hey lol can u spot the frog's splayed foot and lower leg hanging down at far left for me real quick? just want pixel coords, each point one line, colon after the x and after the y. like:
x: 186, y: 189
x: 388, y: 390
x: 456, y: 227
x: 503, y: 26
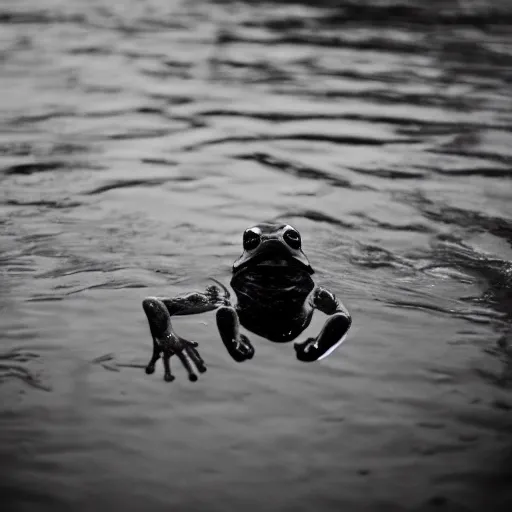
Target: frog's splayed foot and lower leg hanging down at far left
x: 167, y: 343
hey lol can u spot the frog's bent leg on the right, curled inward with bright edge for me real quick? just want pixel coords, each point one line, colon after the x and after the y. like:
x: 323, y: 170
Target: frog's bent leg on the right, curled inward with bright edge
x: 333, y: 332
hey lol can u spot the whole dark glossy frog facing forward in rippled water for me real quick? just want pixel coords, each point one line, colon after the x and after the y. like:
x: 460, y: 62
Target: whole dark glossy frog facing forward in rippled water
x: 276, y: 298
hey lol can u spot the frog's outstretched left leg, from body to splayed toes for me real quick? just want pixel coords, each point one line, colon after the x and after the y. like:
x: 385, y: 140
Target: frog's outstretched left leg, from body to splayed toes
x: 166, y: 342
